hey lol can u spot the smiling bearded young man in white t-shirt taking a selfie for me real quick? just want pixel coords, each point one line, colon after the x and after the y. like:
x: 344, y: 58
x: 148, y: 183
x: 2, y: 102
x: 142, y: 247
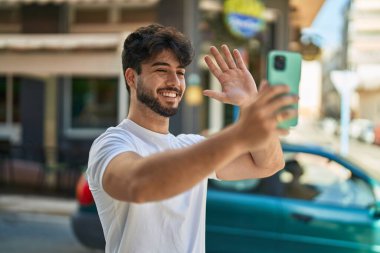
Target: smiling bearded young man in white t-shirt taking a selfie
x: 150, y: 186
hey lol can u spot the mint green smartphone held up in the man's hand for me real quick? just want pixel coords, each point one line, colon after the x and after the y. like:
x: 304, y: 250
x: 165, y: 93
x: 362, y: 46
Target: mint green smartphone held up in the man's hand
x: 284, y: 67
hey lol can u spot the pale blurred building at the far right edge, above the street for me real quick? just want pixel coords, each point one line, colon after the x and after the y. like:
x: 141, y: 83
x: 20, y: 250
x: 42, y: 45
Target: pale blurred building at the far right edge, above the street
x: 364, y: 56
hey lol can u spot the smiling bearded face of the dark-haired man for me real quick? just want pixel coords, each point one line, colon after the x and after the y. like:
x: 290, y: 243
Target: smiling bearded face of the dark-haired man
x: 161, y: 84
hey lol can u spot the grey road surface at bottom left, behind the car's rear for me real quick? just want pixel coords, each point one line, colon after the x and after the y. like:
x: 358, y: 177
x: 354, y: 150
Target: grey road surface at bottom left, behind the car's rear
x: 37, y: 233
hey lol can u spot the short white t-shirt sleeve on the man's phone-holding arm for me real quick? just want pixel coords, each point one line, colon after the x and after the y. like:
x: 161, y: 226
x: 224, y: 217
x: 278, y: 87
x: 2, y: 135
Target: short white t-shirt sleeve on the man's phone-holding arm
x: 103, y: 150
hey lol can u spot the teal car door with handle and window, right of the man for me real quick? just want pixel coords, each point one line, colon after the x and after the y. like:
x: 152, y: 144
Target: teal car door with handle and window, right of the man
x: 335, y: 217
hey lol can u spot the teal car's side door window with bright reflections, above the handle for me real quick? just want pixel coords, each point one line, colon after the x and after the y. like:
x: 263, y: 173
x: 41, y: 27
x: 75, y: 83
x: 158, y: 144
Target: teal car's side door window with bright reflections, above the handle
x: 318, y: 179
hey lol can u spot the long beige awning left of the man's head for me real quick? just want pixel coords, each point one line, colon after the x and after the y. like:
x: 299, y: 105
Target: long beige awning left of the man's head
x: 63, y: 54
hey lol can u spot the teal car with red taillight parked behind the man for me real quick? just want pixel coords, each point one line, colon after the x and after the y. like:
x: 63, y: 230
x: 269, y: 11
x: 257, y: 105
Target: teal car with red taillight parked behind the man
x: 320, y: 202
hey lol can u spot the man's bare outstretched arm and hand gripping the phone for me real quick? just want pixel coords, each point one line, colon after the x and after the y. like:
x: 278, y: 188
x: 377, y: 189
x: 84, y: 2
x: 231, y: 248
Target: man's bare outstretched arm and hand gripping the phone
x: 133, y: 178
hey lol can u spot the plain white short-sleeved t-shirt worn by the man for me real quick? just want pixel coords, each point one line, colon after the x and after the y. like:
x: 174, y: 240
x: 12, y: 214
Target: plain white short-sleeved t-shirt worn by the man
x: 176, y: 224
